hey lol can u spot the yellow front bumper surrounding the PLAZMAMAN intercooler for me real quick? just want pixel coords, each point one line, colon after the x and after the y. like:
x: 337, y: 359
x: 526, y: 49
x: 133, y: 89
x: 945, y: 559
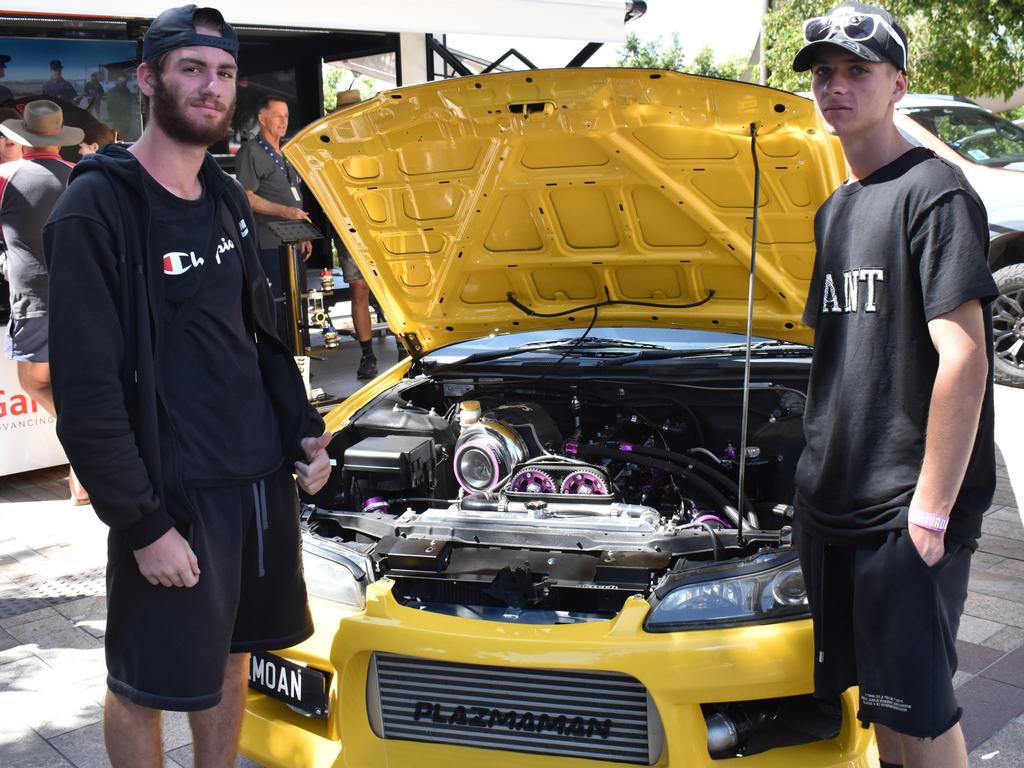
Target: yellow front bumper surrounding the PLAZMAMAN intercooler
x: 680, y: 671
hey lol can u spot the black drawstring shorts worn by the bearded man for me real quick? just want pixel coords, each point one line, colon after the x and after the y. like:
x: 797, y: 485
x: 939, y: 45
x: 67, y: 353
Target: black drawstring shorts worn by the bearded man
x: 167, y: 647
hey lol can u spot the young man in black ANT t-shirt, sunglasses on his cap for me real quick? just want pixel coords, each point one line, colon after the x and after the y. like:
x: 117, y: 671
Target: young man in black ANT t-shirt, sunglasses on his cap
x: 900, y: 464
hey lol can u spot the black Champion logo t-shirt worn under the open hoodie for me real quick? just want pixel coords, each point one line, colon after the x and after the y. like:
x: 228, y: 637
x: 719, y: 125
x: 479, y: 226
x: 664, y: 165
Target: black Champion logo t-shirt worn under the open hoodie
x: 225, y: 430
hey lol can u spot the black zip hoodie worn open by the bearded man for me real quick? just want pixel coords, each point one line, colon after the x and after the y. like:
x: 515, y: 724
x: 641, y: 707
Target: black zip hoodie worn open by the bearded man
x: 105, y: 343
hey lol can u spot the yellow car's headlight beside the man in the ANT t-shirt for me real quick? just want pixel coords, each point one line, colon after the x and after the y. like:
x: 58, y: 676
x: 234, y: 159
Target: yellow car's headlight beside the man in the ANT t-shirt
x: 770, y: 588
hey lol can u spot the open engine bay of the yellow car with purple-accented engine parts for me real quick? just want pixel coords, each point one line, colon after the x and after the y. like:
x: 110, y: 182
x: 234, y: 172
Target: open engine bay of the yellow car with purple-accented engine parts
x: 527, y: 499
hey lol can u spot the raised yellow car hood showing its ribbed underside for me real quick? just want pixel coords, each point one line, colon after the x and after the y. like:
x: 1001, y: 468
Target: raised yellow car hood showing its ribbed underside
x: 516, y: 202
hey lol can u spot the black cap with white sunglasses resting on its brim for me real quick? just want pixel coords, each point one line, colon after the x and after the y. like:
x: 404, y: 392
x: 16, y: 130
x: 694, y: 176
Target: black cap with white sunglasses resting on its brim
x: 866, y: 31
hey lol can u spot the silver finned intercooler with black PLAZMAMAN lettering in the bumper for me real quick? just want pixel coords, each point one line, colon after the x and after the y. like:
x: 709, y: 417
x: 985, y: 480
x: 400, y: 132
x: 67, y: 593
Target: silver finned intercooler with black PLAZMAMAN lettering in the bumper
x: 591, y: 715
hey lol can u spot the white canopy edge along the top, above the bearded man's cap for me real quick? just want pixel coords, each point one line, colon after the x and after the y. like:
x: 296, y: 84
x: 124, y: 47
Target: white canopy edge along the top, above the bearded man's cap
x: 598, y: 21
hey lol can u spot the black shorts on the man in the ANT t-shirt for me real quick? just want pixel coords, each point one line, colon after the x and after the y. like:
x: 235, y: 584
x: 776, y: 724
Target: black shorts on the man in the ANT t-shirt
x: 886, y: 621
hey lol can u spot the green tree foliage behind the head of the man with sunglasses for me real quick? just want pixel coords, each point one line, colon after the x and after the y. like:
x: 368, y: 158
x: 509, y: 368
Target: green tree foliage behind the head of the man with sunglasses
x: 964, y: 48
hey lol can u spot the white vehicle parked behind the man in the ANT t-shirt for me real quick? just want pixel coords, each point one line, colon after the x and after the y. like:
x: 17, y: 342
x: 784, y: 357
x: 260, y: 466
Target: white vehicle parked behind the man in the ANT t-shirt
x: 991, y: 152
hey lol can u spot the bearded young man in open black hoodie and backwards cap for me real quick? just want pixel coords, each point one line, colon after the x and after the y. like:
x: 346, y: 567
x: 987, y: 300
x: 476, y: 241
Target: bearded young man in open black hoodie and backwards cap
x: 184, y: 414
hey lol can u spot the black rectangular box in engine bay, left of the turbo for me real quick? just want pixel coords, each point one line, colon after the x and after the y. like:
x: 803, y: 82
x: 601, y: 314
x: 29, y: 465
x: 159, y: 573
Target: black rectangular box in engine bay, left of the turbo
x: 393, y: 462
